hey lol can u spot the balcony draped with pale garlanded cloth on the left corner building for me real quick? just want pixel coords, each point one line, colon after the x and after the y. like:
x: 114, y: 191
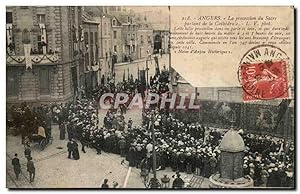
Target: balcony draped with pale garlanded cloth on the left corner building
x: 36, y: 59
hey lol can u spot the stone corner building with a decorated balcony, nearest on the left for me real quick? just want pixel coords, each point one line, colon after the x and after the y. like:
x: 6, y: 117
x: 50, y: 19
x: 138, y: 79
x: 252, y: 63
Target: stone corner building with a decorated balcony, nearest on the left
x: 42, y: 53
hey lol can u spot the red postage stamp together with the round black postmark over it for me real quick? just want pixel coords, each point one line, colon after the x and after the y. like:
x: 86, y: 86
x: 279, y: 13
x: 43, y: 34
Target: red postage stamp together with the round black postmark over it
x: 263, y: 73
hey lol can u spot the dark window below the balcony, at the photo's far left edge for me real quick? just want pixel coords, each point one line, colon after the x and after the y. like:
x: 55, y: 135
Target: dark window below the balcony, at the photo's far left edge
x: 12, y: 83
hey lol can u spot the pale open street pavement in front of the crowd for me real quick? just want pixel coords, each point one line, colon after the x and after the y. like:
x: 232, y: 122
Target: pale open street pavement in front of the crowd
x: 55, y: 170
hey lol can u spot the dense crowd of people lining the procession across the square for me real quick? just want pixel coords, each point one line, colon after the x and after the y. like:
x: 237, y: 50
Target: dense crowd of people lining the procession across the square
x: 183, y: 147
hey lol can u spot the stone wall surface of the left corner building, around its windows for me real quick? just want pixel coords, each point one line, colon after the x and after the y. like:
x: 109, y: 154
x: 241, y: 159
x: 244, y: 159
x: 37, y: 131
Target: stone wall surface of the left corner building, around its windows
x: 59, y: 39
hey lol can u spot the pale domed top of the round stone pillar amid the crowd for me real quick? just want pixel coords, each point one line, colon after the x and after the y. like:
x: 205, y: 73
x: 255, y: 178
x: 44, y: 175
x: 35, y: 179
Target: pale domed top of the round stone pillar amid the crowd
x: 232, y: 142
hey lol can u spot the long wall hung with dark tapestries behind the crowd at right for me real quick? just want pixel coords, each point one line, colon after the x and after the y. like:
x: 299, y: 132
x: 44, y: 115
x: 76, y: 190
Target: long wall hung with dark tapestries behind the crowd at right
x: 221, y: 105
